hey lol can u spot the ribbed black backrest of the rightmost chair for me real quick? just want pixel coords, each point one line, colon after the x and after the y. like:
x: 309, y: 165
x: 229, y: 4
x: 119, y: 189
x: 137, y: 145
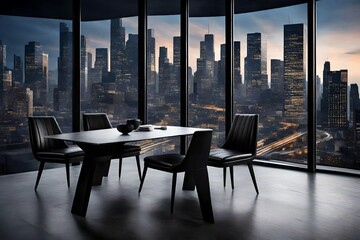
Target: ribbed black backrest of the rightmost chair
x: 243, y: 133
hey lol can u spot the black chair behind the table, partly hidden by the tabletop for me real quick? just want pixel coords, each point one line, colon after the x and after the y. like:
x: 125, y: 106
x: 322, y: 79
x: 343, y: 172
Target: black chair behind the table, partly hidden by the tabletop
x: 96, y: 121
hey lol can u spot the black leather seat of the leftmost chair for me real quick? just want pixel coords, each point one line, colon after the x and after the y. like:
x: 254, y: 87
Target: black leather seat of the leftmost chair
x: 60, y: 154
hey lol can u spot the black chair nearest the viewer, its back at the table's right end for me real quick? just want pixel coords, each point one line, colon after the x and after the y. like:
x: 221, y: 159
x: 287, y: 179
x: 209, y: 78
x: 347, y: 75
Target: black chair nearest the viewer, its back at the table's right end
x: 194, y: 159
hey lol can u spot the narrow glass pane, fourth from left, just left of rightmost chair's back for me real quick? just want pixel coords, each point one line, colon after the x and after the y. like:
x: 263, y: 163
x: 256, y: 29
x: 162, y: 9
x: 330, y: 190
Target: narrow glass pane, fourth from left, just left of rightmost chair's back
x: 207, y: 73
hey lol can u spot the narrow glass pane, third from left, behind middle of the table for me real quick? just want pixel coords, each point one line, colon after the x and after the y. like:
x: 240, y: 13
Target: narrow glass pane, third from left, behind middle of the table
x: 163, y: 74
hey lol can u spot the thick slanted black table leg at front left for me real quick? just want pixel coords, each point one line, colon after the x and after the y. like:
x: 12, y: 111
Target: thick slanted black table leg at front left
x: 83, y: 188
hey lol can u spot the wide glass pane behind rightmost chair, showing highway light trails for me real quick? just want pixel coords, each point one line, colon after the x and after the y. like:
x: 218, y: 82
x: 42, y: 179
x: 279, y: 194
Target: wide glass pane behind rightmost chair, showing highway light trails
x: 272, y: 79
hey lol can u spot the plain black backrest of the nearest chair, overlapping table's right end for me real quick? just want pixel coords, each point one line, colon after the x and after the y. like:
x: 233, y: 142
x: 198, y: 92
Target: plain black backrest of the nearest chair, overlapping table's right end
x: 198, y: 152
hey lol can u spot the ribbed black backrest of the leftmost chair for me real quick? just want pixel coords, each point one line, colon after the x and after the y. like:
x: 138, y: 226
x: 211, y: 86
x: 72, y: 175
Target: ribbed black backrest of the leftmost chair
x: 41, y: 126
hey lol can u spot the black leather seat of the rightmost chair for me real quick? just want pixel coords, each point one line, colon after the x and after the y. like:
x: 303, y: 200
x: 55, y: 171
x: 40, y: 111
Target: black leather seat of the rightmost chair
x: 223, y: 156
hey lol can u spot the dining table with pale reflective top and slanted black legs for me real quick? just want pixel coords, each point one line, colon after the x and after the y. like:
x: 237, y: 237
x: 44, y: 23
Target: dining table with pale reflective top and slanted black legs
x: 98, y: 146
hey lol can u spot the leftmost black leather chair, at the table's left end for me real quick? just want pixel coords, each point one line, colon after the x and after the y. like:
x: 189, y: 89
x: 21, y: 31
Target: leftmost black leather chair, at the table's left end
x: 52, y: 151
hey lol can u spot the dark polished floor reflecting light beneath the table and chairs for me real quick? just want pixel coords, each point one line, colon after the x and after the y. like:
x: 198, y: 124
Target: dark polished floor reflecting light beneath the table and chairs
x: 291, y: 205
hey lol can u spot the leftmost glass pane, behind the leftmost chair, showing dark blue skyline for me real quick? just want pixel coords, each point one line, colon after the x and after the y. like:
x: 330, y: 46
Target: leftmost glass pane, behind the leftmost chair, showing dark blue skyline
x: 36, y: 79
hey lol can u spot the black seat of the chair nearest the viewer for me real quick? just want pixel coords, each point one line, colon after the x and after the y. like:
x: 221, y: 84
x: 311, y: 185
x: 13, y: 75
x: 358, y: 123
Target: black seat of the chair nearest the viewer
x: 164, y: 162
